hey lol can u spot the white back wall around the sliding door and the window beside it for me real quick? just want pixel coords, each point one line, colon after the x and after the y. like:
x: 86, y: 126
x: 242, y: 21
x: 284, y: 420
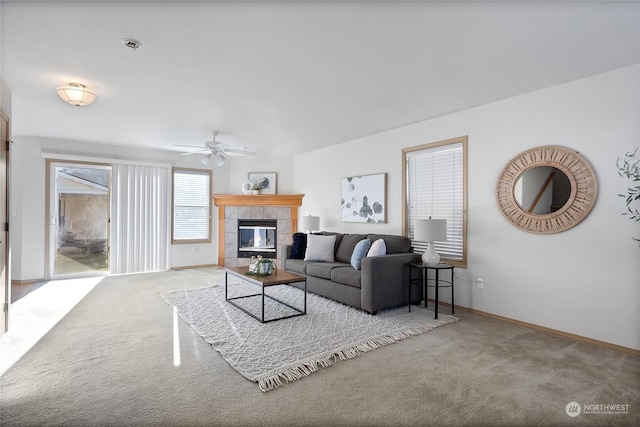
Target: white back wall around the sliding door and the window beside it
x: 28, y: 210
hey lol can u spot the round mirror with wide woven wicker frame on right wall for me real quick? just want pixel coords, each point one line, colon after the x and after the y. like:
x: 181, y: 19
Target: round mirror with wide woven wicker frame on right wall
x: 525, y: 189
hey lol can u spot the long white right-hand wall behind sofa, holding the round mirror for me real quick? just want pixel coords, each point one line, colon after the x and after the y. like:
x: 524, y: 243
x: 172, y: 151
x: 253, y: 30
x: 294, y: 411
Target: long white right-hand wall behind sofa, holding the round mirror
x: 584, y: 281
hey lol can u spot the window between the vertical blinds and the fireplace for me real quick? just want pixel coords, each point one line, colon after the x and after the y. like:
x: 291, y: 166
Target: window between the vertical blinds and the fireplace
x: 191, y: 206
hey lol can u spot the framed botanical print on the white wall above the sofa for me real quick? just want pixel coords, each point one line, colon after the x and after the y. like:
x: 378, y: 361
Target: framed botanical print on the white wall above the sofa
x: 364, y: 198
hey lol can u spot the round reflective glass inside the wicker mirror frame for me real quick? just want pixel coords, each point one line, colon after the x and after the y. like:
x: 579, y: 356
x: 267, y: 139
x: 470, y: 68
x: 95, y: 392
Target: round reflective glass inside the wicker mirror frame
x: 542, y: 190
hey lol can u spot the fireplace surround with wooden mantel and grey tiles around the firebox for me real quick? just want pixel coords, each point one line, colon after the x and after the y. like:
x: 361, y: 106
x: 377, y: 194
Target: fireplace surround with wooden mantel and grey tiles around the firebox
x: 258, y: 206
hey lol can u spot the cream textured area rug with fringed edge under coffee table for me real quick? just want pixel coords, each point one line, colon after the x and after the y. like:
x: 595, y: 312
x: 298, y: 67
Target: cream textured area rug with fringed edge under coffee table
x: 290, y: 349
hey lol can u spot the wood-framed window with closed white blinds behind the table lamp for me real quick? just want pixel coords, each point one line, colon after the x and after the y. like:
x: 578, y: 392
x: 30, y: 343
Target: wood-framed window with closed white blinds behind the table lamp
x: 435, y: 185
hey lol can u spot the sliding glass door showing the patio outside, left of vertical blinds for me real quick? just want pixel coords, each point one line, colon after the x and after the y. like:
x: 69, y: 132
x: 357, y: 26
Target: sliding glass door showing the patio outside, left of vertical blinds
x: 79, y: 220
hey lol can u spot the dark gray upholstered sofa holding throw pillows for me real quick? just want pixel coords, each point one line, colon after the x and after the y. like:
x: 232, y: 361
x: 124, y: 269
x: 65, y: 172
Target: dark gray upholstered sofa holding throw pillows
x: 381, y: 283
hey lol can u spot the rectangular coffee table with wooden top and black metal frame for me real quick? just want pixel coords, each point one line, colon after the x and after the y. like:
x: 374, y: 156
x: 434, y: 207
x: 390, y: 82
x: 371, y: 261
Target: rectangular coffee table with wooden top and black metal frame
x: 278, y: 277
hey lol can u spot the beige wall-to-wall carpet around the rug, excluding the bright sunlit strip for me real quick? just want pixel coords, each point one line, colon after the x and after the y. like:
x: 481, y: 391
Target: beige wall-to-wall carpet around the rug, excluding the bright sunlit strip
x: 120, y: 357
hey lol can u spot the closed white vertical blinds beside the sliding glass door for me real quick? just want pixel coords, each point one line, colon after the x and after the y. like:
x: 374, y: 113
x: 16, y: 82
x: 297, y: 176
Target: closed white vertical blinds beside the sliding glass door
x: 140, y: 218
